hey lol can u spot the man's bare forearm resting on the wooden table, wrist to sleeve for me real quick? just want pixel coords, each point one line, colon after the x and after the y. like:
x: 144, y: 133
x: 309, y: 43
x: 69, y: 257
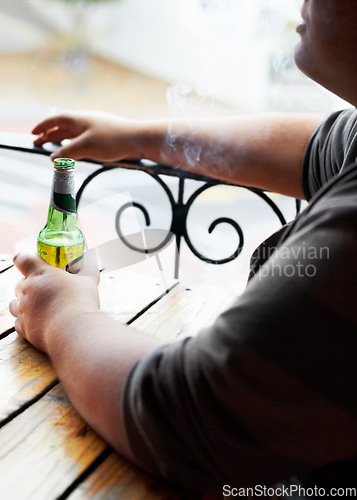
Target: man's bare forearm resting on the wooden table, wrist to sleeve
x: 92, y: 354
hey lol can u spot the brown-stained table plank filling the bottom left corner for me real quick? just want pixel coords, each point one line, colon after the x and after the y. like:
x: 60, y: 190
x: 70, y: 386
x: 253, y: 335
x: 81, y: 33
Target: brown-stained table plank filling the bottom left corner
x: 45, y: 448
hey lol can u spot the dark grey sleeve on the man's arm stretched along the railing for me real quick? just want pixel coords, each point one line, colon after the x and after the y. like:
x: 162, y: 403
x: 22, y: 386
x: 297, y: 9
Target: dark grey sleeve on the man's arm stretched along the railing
x: 332, y: 147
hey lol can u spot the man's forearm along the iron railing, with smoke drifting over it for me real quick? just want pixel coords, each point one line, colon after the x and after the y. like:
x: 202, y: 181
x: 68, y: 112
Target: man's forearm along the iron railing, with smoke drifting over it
x: 264, y: 151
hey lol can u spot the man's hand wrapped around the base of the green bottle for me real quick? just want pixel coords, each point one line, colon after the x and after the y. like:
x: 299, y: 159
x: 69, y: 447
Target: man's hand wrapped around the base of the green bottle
x: 48, y: 295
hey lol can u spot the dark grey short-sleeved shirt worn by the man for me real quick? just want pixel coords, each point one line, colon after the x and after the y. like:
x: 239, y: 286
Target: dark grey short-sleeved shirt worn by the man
x: 269, y: 390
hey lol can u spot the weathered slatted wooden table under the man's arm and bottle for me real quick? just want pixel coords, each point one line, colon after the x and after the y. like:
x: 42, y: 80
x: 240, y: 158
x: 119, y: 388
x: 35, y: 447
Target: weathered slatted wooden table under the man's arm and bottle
x: 46, y: 450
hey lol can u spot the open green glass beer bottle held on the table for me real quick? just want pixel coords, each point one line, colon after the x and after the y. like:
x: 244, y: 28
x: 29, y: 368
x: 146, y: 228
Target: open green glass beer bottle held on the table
x: 61, y: 241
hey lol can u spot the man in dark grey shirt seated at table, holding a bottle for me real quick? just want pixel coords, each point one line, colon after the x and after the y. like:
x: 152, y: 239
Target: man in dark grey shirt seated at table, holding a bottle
x: 268, y: 391
